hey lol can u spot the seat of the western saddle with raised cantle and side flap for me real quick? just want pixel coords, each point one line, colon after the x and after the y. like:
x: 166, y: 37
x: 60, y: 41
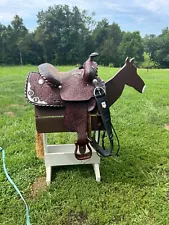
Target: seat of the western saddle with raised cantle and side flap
x: 71, y: 84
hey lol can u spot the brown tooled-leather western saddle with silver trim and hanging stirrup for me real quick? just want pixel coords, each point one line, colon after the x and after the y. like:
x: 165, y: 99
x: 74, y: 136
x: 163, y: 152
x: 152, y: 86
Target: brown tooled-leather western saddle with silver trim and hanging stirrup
x: 73, y: 90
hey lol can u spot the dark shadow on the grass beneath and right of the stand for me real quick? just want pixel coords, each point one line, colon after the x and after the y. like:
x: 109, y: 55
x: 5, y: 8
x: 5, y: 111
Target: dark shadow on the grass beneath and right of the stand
x: 132, y: 167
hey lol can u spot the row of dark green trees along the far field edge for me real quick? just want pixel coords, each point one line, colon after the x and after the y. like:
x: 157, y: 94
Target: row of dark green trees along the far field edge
x: 65, y: 36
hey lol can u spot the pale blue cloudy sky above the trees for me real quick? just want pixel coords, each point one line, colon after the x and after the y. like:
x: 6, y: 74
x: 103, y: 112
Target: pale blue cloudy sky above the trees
x: 146, y: 16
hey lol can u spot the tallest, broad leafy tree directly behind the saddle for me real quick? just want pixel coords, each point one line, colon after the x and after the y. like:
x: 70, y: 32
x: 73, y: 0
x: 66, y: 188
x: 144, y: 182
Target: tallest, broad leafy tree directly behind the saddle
x: 63, y: 34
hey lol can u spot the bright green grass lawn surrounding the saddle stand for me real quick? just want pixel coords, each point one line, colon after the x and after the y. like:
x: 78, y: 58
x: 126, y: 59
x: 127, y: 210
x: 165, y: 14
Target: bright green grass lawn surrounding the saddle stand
x: 134, y: 189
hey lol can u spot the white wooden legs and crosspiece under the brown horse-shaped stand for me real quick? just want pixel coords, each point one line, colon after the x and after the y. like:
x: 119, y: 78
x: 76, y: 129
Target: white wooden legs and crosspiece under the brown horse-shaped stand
x: 59, y: 155
